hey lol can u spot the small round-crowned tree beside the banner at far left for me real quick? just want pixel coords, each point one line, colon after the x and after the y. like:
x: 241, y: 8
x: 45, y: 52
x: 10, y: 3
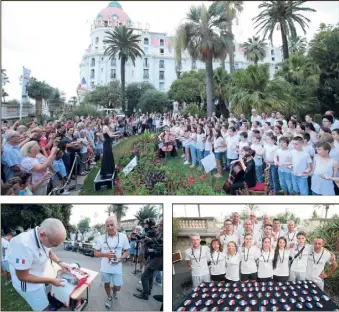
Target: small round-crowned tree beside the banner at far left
x: 38, y: 90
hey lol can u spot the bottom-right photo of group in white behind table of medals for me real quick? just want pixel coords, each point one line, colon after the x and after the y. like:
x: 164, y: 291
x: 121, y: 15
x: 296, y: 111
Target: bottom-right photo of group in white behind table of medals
x: 255, y: 257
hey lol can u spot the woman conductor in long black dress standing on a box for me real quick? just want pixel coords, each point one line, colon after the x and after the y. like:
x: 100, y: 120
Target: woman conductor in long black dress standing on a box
x: 107, y: 164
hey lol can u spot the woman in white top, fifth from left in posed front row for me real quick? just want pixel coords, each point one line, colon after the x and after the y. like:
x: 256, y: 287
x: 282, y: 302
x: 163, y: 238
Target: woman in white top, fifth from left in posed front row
x: 265, y: 263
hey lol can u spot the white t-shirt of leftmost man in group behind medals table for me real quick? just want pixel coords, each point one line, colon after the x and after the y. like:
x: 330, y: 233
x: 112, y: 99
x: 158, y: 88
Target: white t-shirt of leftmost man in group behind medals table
x: 199, y: 258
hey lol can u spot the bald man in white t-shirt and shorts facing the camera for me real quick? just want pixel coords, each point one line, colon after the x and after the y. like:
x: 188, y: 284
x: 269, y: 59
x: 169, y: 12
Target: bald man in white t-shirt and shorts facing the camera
x: 112, y: 248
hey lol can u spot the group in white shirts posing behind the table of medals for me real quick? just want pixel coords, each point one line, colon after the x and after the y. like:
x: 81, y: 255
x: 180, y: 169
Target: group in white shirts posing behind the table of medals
x: 259, y: 251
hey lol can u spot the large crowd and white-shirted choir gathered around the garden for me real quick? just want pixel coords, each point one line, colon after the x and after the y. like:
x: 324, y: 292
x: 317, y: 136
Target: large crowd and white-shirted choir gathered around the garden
x: 301, y: 157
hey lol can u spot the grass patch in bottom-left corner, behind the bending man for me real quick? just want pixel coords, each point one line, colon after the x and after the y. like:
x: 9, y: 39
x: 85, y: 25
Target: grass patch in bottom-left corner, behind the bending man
x: 11, y: 300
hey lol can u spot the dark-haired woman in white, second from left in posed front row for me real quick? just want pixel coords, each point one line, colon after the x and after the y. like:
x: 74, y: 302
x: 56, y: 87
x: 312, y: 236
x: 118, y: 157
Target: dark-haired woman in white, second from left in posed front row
x: 218, y: 261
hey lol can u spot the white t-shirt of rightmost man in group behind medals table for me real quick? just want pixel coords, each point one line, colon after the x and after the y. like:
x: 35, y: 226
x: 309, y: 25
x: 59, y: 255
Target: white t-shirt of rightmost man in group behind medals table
x: 316, y: 263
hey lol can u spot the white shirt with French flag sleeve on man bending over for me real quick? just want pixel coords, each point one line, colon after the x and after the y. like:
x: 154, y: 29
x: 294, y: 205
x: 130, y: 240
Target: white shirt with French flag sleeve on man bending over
x: 25, y: 252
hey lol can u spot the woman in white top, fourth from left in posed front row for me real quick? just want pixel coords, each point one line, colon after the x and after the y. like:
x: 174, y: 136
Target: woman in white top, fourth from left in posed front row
x: 249, y: 256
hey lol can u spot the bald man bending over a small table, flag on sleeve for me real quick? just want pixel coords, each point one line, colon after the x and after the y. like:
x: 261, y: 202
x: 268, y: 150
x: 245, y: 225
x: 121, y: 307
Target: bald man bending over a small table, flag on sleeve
x: 28, y: 255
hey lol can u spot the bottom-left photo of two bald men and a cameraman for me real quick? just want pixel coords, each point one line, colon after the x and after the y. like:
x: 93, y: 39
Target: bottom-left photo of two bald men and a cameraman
x: 81, y: 257
